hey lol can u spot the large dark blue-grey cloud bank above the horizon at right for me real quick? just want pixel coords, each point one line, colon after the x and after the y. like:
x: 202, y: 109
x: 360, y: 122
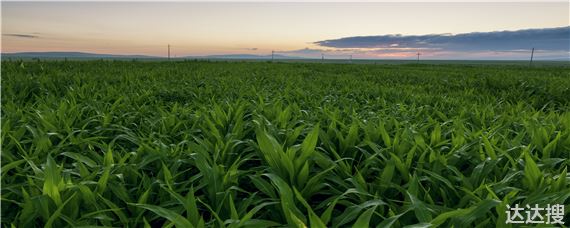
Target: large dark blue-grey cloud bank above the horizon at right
x: 553, y: 39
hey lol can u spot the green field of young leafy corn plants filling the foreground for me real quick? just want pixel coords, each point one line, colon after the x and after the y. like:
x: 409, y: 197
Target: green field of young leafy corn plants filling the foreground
x: 259, y: 144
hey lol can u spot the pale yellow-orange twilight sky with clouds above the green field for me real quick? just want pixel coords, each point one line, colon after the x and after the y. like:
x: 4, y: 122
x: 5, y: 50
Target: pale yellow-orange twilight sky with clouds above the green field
x: 384, y: 30
